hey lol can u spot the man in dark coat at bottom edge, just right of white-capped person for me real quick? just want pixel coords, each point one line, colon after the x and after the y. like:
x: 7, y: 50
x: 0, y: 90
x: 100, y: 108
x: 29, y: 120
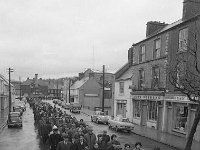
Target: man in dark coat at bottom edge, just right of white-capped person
x: 65, y: 144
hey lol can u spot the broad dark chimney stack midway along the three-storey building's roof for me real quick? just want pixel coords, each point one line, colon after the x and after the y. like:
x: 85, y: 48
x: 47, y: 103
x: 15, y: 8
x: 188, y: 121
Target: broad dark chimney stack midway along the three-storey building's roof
x: 153, y: 26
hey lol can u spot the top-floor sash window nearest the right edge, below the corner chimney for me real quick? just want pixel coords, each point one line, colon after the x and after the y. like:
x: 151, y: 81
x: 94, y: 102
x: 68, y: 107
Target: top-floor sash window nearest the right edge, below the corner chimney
x: 183, y: 39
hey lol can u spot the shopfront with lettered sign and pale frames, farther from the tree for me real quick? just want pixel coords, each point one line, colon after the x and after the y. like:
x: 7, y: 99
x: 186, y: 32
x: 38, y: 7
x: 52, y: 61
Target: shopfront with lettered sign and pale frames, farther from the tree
x: 148, y: 110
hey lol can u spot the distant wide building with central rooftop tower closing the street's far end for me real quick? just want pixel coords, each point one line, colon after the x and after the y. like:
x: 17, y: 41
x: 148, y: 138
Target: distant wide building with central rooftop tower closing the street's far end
x: 34, y: 87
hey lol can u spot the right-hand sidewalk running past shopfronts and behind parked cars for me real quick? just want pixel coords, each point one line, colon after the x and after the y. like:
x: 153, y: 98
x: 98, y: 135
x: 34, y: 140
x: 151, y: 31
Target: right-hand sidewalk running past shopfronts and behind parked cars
x: 165, y: 138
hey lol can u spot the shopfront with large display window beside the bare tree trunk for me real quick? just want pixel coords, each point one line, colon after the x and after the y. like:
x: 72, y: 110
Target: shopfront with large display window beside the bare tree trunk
x: 180, y: 113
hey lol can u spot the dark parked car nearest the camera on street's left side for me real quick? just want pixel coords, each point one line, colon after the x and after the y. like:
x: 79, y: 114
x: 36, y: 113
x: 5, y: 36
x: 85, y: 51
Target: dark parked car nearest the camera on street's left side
x: 14, y: 119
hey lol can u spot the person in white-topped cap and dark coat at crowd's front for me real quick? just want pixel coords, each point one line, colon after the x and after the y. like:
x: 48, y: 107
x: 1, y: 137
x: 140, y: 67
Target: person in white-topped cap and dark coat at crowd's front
x: 54, y: 138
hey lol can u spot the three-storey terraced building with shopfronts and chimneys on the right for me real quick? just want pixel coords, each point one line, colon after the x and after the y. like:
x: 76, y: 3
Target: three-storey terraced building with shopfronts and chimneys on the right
x: 155, y: 102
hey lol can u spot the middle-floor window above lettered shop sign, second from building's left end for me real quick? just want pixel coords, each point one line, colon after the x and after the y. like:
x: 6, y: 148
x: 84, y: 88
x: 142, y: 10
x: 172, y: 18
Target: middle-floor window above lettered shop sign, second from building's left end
x: 155, y: 77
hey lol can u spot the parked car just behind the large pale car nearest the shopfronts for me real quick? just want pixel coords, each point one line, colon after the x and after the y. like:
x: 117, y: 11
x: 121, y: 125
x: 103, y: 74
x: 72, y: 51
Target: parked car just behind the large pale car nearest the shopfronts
x: 100, y: 117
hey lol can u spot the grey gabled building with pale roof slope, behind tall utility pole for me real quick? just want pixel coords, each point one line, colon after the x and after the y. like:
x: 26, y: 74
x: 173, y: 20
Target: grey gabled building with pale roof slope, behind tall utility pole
x: 88, y: 91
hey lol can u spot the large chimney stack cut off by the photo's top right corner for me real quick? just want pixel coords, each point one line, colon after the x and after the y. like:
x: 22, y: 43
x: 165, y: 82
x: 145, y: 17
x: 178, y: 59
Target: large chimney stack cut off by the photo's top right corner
x: 190, y: 9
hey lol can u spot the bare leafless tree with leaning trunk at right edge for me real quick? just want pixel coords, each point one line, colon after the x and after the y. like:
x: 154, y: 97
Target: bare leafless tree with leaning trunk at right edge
x: 184, y: 75
